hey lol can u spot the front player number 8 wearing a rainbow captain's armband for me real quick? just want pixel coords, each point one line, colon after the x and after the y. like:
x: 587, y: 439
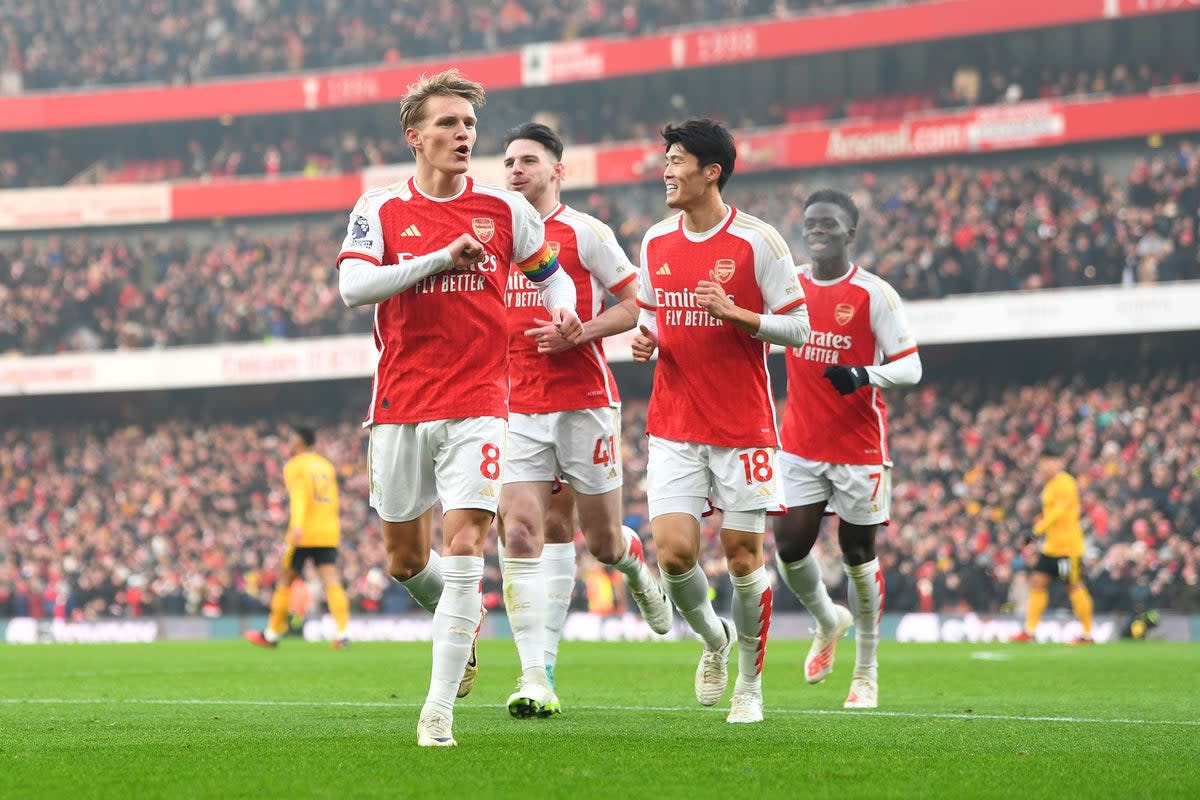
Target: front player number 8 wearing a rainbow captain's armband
x: 435, y: 254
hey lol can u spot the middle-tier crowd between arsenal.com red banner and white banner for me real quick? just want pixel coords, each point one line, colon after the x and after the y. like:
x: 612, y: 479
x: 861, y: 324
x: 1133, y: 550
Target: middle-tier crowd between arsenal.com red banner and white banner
x: 933, y: 232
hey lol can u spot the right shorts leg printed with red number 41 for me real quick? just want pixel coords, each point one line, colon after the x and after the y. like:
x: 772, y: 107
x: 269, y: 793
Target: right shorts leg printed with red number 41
x: 589, y: 443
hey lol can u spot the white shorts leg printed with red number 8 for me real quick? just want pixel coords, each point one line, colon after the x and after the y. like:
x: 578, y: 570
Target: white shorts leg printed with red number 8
x: 469, y: 464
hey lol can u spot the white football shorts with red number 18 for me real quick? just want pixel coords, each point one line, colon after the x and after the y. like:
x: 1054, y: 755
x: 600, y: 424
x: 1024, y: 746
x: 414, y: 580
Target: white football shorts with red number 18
x: 733, y: 479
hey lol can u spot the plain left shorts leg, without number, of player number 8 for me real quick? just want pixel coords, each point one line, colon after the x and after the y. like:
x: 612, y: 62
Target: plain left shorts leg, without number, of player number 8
x: 400, y: 468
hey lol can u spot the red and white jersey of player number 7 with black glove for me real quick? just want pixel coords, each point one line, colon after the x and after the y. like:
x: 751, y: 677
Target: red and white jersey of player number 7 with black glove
x: 857, y: 321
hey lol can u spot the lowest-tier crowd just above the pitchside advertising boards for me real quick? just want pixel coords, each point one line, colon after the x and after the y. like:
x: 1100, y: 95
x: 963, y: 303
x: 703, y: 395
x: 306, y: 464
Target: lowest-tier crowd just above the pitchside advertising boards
x: 116, y: 520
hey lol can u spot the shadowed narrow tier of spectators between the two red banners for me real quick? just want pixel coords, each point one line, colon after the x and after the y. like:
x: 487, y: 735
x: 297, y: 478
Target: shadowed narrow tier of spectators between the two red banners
x: 328, y: 145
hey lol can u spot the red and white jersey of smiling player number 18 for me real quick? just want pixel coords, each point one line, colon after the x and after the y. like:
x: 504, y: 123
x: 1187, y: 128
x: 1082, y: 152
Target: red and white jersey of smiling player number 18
x: 711, y: 383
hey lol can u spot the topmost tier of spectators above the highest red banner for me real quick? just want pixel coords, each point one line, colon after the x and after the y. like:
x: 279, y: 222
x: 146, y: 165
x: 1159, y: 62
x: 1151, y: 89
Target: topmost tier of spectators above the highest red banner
x: 58, y: 44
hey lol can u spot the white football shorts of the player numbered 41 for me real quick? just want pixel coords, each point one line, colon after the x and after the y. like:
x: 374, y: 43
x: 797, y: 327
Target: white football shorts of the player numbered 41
x: 583, y: 447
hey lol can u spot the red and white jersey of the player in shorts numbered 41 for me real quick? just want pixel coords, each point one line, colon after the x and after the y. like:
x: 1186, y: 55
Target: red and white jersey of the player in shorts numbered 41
x: 580, y: 377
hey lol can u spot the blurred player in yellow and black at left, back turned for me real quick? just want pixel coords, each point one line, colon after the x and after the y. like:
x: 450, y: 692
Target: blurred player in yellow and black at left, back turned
x: 314, y: 536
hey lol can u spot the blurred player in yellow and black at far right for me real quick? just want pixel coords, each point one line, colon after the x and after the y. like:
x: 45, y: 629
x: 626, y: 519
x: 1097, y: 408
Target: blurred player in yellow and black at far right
x: 1063, y: 546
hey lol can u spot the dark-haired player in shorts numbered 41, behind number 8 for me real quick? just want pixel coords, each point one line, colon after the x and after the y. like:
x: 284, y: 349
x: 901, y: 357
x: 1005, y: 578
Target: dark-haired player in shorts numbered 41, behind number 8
x: 566, y: 420
